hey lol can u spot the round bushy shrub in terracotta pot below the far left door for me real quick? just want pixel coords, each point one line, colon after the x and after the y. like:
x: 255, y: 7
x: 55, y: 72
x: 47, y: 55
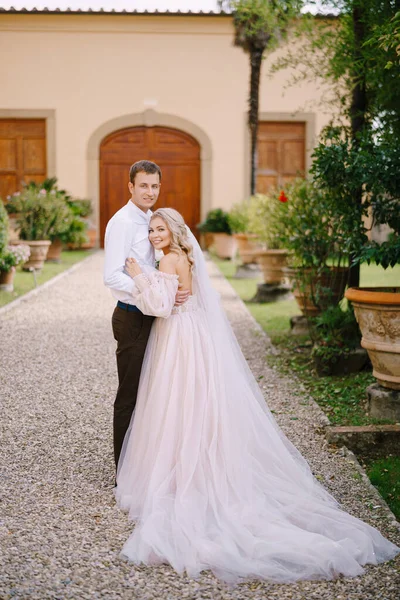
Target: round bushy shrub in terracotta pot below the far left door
x: 40, y: 216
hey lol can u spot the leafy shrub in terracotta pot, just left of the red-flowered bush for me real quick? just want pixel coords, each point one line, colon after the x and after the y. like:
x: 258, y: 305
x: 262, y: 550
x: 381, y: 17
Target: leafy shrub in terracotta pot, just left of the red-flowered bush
x: 265, y: 221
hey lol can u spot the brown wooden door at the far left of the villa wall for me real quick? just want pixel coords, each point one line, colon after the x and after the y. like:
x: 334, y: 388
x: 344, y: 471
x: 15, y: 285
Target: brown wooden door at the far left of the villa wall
x: 22, y: 153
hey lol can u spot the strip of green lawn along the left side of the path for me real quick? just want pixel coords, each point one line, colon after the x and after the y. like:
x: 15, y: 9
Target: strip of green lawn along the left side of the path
x: 24, y: 281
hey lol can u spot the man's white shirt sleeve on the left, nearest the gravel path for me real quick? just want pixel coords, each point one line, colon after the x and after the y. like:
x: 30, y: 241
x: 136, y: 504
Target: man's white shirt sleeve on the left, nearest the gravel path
x: 117, y: 245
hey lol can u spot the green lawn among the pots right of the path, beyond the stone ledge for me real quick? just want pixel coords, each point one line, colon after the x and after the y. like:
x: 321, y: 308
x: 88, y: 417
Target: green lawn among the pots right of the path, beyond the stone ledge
x: 342, y: 397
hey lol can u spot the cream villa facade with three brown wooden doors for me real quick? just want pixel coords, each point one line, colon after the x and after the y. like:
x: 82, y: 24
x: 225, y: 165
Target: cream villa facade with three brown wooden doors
x: 84, y: 95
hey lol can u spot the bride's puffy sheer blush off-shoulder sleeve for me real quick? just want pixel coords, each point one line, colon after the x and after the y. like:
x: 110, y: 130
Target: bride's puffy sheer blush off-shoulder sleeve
x: 155, y: 293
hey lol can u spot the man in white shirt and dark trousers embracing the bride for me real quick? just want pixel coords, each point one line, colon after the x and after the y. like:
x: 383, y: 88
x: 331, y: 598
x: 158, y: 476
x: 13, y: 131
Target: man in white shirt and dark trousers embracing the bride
x: 127, y: 236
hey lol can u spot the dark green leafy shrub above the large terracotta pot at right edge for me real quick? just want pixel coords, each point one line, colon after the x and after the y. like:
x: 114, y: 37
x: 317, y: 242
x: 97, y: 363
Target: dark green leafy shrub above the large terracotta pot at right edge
x: 342, y: 167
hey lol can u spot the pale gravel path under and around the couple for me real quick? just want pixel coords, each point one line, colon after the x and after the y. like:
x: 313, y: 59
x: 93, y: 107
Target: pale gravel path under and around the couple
x: 60, y: 530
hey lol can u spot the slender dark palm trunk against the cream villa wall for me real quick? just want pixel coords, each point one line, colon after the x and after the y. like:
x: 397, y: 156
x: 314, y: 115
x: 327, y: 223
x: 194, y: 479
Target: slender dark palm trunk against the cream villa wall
x: 255, y: 69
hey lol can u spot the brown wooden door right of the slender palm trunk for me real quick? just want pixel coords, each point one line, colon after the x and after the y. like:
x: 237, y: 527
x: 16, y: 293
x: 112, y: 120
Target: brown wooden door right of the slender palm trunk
x: 281, y: 153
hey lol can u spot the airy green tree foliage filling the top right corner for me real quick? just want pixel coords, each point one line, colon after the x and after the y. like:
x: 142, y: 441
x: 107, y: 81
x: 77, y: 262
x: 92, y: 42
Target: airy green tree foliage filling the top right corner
x: 356, y: 55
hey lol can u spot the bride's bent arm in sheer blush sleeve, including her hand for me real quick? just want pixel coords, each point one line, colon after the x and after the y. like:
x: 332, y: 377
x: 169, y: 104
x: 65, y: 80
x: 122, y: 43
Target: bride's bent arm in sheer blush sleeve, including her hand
x: 155, y: 292
